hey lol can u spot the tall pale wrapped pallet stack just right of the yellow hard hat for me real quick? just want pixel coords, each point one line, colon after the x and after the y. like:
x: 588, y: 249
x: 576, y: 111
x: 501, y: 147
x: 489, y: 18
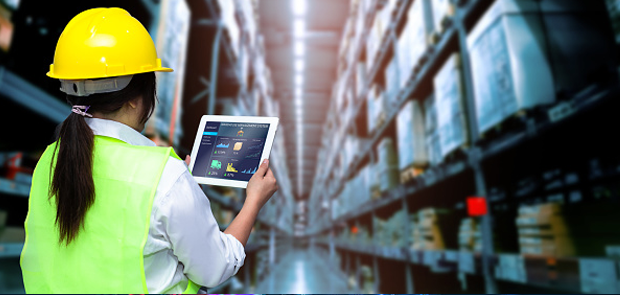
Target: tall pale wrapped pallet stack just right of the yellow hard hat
x: 172, y: 39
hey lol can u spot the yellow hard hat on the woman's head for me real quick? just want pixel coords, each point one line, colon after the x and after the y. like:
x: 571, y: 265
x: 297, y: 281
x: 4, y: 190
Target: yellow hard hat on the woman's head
x: 101, y: 43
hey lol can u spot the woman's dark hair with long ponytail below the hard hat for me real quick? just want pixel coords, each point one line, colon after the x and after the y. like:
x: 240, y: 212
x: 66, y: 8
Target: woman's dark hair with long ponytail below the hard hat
x: 72, y: 182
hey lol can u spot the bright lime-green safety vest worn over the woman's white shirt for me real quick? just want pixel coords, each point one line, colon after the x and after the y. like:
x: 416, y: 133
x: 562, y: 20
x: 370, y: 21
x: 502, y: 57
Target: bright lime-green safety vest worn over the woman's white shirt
x: 107, y: 255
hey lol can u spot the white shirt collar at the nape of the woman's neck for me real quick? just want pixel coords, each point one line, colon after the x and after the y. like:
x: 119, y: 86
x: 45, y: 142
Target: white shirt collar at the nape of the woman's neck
x: 118, y: 130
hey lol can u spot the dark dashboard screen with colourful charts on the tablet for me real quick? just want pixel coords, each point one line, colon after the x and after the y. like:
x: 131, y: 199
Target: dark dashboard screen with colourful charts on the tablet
x: 230, y: 150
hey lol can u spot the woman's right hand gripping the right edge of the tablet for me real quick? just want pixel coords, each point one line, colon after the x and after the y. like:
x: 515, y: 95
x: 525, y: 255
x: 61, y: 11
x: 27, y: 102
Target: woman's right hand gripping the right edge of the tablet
x: 261, y: 186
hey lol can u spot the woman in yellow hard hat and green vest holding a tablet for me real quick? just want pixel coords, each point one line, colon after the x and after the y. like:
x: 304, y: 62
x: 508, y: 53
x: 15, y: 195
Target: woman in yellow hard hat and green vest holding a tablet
x: 109, y: 212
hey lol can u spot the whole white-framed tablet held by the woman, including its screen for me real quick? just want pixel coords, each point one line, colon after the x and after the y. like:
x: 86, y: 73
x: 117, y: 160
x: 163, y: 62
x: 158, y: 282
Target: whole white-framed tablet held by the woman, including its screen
x: 228, y: 149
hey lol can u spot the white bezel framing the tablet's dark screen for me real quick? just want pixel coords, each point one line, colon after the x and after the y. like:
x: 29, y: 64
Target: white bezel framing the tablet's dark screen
x: 273, y: 126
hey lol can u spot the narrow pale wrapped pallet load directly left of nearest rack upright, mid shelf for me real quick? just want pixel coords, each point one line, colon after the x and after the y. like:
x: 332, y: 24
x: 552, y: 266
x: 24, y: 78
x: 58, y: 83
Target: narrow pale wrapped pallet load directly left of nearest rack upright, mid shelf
x: 449, y: 95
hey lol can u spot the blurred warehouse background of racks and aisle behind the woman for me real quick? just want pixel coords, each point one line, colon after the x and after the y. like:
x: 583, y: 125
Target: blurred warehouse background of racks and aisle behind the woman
x: 427, y: 146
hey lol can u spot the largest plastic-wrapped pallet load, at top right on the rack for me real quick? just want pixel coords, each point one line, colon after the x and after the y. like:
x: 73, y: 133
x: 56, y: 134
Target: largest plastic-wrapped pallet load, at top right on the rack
x: 513, y: 68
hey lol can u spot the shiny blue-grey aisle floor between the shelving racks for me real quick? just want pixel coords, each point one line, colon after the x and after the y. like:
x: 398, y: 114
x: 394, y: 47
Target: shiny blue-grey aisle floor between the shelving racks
x: 303, y: 271
